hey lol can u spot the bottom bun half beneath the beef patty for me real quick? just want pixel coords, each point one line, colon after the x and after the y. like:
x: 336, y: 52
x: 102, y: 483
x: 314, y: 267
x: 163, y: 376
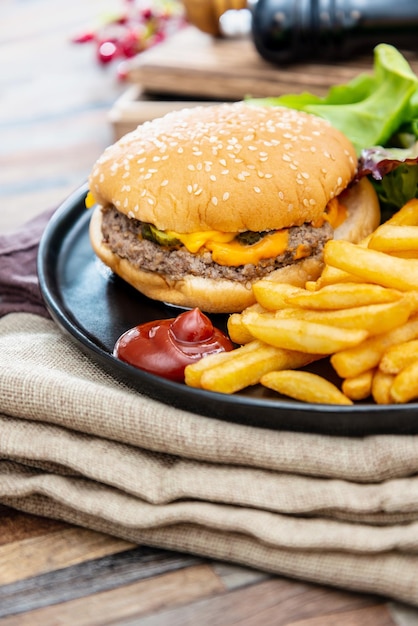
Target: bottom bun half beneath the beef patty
x: 227, y: 296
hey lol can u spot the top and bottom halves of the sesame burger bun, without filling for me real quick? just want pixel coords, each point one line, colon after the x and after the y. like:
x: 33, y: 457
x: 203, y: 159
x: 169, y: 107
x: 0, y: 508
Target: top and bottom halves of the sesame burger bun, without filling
x: 231, y: 168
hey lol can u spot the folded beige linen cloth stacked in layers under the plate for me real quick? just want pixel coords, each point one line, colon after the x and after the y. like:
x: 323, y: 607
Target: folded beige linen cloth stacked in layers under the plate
x: 77, y: 445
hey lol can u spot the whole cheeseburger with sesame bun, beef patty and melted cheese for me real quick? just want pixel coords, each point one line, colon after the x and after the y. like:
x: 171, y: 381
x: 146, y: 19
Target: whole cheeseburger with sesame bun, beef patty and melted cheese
x: 194, y: 207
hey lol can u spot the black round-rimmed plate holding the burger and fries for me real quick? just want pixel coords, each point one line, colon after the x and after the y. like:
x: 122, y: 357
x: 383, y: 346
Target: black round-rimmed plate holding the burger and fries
x: 94, y: 307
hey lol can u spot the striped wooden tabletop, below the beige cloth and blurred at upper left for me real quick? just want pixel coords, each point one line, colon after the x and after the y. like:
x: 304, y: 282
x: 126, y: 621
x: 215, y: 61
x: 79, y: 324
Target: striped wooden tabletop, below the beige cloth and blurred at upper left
x: 54, y: 122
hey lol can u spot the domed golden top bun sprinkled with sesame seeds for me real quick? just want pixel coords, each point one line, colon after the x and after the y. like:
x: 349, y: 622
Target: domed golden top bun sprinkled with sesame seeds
x: 231, y: 167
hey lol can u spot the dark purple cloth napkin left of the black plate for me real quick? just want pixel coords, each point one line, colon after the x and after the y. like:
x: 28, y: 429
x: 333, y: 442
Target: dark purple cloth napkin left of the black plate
x: 19, y: 287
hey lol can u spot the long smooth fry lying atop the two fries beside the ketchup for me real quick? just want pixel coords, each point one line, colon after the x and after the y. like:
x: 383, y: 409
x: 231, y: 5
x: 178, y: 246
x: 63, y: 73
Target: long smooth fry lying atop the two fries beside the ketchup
x: 301, y: 335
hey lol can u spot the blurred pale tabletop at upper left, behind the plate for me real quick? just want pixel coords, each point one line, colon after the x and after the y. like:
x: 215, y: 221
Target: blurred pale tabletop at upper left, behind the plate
x: 54, y: 103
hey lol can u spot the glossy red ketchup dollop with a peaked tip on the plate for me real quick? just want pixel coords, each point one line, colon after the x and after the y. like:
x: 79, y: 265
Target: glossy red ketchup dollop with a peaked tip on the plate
x: 165, y: 347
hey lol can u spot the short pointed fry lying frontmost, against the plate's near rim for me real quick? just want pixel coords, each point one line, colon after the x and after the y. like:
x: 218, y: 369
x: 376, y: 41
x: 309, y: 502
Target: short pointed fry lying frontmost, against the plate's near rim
x: 304, y: 386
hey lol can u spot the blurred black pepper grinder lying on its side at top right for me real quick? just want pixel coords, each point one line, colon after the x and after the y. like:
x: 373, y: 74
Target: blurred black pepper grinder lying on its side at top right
x: 330, y: 30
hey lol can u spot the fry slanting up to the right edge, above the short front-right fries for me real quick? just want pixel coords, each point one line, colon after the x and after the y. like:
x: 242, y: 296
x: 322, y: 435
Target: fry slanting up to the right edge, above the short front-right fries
x: 367, y: 355
